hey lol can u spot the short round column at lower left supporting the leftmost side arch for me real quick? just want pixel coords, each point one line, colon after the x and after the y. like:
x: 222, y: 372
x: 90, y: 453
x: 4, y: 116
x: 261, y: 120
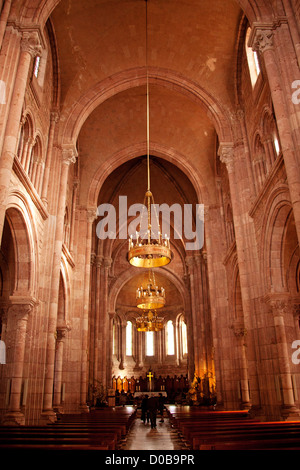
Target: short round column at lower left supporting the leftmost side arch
x: 20, y: 310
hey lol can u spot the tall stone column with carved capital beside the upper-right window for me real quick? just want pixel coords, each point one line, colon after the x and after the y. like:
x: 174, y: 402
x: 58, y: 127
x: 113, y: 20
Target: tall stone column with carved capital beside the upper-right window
x: 262, y: 41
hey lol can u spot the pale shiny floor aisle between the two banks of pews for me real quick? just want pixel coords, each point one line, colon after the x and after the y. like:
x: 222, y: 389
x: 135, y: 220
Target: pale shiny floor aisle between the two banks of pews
x: 142, y: 437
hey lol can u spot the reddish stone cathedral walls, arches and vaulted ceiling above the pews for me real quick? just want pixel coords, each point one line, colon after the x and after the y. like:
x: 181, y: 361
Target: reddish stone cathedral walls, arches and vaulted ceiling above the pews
x: 96, y: 96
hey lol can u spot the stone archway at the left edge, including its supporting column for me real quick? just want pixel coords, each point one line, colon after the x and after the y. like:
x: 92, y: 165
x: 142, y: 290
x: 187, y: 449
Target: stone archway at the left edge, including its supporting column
x: 17, y: 303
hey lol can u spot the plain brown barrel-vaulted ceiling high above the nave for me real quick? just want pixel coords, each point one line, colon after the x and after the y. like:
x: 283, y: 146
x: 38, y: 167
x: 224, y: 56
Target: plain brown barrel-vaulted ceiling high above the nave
x: 191, y: 59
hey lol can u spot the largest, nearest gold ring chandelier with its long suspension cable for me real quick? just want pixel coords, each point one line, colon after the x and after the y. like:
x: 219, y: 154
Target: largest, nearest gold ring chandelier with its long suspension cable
x: 149, y: 251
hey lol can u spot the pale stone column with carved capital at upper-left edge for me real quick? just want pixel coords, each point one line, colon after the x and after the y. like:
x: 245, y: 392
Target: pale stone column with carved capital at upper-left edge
x: 30, y: 47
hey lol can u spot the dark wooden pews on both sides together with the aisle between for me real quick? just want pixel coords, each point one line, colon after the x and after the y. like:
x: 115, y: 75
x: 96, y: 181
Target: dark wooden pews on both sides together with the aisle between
x: 184, y: 429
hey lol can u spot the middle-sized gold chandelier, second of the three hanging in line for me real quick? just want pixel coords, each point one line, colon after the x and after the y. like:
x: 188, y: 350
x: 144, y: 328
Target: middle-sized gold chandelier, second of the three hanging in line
x: 150, y: 297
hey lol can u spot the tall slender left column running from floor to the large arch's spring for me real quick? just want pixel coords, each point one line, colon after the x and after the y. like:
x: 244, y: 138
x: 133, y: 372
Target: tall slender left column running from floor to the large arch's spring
x: 68, y: 157
